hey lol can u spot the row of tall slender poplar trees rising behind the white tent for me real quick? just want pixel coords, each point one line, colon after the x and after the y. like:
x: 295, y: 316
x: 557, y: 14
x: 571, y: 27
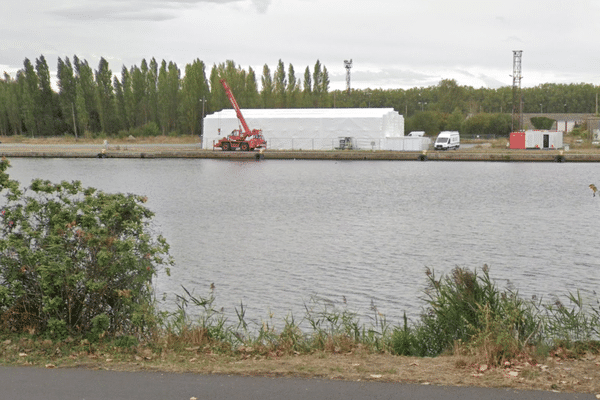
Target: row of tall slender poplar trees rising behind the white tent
x: 151, y: 98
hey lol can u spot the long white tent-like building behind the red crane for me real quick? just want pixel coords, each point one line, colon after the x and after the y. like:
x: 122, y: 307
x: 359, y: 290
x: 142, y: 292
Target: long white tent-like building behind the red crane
x: 313, y: 128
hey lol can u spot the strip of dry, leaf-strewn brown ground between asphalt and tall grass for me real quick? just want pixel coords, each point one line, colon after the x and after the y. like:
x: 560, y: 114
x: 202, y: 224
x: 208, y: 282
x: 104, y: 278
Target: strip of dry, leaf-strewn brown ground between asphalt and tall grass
x: 554, y: 374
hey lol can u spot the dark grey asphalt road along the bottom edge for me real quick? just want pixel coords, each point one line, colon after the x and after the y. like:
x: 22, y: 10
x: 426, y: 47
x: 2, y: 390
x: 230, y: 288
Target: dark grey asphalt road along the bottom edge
x: 20, y: 383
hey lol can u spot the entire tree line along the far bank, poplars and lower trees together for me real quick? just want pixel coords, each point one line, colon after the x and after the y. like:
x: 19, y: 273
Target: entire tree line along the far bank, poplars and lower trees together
x: 153, y: 98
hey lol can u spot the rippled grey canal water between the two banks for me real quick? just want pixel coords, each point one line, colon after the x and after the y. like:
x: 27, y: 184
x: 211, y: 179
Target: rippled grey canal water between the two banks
x: 355, y: 235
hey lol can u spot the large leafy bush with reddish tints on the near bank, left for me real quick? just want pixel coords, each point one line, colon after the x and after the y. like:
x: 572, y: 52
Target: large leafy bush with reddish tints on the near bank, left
x: 76, y: 260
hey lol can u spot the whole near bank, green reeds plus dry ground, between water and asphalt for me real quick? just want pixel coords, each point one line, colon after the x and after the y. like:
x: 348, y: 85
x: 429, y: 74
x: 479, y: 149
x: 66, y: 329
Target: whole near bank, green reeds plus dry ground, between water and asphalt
x: 470, y: 333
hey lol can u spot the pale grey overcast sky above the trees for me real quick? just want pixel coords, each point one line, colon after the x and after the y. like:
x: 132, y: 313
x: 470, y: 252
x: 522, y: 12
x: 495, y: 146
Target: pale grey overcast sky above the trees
x: 393, y: 43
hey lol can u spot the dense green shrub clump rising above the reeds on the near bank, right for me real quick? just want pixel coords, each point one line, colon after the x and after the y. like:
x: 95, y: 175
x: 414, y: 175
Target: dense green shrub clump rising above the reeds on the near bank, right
x: 469, y: 309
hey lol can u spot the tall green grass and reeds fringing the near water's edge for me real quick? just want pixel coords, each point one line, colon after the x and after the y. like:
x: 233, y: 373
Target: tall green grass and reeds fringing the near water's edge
x: 464, y: 313
